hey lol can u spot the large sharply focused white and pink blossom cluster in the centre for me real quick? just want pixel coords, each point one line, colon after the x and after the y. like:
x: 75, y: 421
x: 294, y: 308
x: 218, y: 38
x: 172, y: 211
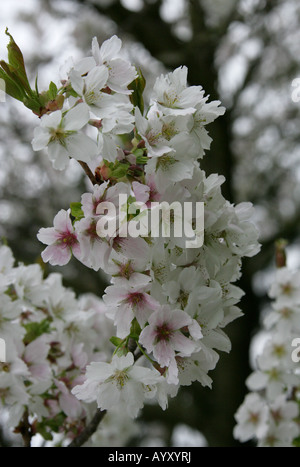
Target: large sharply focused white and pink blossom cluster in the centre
x: 169, y: 303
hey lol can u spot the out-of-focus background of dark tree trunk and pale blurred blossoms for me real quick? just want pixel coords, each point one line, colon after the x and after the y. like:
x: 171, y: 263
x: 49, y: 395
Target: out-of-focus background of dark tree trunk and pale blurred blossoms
x: 243, y: 52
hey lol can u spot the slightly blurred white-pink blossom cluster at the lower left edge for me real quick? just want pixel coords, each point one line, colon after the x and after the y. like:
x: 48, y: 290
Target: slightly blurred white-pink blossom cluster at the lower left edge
x: 50, y: 337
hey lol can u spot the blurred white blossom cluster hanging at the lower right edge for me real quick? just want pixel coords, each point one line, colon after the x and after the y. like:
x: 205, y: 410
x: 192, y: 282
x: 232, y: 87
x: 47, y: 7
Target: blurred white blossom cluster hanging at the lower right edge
x: 270, y: 412
